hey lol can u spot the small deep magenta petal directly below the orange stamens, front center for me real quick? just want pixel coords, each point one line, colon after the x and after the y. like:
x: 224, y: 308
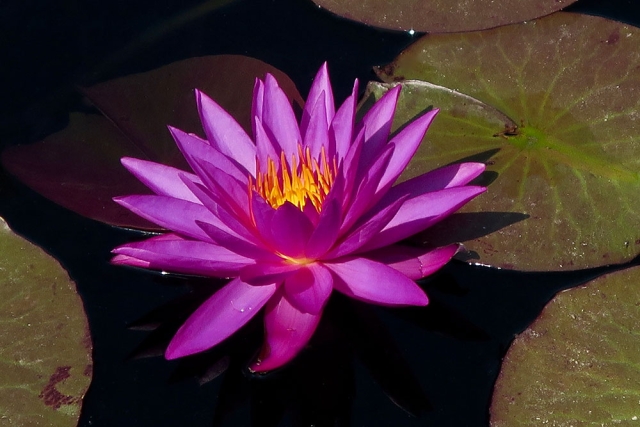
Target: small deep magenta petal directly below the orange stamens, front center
x: 290, y: 230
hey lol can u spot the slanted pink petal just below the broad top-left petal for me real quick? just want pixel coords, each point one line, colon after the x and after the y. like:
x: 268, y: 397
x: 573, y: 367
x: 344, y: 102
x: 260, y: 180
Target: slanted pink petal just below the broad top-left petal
x: 195, y: 148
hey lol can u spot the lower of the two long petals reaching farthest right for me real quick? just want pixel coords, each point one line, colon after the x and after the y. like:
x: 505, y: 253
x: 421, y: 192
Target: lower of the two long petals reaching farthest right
x: 422, y: 212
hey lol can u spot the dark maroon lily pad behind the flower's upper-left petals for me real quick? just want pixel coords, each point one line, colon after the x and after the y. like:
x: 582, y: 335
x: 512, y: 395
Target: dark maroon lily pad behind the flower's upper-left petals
x: 79, y: 167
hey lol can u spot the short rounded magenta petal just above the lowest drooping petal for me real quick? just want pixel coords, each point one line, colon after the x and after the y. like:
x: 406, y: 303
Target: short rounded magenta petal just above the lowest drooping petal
x: 309, y: 288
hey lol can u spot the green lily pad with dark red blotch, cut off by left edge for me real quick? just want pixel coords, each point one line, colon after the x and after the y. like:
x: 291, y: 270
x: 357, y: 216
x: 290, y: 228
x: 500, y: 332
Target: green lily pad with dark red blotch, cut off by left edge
x: 45, y: 346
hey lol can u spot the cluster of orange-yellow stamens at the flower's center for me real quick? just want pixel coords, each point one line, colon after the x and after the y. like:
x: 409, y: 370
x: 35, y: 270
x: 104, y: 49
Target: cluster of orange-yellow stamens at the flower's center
x: 304, y: 180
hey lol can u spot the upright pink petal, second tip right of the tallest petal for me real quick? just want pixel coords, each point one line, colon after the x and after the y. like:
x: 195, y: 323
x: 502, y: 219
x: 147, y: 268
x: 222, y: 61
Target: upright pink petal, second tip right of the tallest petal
x: 377, y: 124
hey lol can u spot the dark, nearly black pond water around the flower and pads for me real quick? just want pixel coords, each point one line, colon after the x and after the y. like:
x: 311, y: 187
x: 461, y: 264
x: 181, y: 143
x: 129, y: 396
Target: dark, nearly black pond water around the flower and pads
x: 452, y: 354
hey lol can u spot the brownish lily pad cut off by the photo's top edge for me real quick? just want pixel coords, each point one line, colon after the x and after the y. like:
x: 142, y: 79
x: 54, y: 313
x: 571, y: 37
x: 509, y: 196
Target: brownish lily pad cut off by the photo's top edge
x: 442, y: 16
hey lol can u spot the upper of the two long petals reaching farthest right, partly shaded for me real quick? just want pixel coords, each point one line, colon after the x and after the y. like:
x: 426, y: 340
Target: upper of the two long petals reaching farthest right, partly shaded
x: 451, y: 176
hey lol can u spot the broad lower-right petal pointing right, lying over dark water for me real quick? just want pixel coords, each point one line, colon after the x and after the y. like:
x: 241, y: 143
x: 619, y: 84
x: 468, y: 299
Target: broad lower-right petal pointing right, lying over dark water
x: 374, y: 282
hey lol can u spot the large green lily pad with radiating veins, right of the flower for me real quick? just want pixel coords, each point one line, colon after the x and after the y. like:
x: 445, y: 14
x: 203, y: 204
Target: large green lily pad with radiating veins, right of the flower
x: 570, y: 83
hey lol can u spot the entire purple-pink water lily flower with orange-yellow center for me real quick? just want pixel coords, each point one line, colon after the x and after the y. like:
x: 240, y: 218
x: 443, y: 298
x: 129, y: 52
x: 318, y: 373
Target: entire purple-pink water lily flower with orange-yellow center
x: 297, y: 211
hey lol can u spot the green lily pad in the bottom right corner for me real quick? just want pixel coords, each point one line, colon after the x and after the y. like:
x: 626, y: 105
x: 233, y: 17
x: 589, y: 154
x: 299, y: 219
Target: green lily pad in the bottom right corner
x: 579, y: 362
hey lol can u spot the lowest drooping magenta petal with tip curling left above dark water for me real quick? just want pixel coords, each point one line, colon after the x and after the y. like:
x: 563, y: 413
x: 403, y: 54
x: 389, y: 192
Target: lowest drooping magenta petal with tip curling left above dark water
x: 287, y: 331
